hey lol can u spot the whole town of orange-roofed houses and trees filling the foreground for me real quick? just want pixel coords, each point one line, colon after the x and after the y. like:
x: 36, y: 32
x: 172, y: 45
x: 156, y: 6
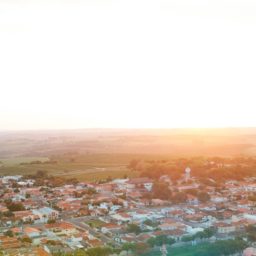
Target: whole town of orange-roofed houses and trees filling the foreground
x: 126, y: 216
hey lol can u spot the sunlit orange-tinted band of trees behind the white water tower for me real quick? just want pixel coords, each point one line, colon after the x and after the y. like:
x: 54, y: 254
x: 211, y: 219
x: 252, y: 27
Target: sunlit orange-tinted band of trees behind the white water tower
x: 217, y: 168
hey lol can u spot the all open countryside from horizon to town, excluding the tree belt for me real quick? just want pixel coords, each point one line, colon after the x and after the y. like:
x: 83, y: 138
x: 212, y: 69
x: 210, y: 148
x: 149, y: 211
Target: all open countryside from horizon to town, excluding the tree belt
x: 97, y: 154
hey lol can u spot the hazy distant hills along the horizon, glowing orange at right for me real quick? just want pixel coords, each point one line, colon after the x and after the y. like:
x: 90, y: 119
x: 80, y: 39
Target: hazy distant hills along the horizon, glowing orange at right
x: 176, y: 142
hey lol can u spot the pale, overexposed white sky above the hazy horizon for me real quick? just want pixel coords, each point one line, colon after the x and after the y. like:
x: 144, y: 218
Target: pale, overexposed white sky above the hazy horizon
x: 127, y: 64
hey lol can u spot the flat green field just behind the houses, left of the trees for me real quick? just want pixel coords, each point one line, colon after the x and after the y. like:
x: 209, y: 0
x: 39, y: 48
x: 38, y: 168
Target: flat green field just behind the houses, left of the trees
x: 84, y: 168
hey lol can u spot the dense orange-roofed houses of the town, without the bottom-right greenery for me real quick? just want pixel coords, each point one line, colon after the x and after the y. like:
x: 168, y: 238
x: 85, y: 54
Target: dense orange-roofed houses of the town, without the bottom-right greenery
x: 84, y: 215
